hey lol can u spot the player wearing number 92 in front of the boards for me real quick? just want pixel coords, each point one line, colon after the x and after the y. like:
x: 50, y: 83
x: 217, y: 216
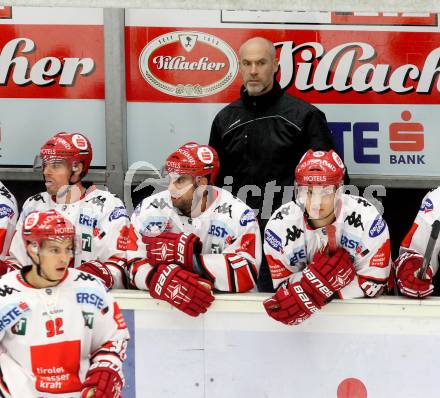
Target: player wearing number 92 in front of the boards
x: 61, y: 333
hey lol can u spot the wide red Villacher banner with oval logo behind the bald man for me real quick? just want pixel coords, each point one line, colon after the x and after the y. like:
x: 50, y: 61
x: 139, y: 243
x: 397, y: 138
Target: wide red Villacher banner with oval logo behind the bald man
x: 321, y: 66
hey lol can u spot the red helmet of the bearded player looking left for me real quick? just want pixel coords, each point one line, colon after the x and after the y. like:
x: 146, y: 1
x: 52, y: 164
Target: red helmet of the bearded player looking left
x: 195, y: 160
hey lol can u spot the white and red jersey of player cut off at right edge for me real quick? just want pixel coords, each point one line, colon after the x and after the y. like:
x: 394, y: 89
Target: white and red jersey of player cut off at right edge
x: 417, y: 237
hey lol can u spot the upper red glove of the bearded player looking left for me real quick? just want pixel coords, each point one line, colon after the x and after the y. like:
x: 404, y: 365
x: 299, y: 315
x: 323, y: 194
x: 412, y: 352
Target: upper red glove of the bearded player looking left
x: 171, y: 248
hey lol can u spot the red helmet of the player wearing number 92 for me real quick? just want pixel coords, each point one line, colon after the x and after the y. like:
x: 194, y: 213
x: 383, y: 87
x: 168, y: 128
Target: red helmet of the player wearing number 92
x: 49, y: 225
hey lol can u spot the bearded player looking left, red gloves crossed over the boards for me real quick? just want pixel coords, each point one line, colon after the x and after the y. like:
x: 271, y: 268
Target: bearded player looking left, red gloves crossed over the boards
x: 198, y: 237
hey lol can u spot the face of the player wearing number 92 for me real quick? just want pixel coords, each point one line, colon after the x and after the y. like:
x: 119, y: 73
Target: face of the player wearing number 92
x: 55, y: 257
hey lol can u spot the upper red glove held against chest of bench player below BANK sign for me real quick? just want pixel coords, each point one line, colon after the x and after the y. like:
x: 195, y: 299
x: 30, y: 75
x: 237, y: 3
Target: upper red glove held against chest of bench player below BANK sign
x: 328, y: 274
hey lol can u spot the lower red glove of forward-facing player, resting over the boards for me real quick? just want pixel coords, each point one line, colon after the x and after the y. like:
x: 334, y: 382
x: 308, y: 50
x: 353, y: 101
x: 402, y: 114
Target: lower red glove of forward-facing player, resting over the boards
x: 291, y: 305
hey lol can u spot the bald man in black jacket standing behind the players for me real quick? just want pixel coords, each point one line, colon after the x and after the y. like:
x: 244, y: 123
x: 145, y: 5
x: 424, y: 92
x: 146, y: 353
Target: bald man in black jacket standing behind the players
x: 261, y: 137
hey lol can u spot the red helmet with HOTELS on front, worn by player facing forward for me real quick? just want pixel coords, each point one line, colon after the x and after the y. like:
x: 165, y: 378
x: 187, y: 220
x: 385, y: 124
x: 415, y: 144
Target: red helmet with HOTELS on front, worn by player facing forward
x: 320, y: 168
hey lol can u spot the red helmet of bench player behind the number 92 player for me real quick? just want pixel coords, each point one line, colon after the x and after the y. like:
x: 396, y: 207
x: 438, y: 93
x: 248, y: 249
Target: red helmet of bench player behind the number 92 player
x: 71, y: 147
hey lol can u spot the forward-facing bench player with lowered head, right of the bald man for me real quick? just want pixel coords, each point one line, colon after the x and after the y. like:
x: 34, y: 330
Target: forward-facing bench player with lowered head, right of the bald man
x: 327, y: 244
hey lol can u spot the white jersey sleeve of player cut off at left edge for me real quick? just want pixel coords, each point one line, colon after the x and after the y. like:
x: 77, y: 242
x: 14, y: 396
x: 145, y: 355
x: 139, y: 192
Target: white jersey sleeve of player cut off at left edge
x: 8, y: 219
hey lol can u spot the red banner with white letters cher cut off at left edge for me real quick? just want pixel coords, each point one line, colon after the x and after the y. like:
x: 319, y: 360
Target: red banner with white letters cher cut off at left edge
x: 52, y: 61
